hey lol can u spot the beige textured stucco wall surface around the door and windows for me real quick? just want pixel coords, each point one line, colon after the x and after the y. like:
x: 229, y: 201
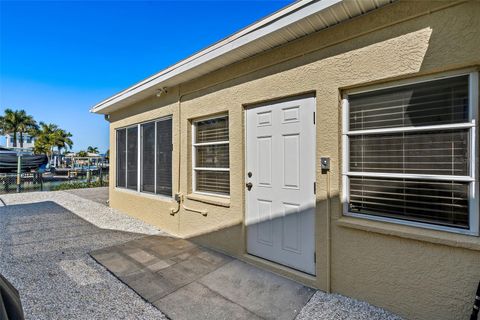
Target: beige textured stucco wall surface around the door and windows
x: 418, y: 273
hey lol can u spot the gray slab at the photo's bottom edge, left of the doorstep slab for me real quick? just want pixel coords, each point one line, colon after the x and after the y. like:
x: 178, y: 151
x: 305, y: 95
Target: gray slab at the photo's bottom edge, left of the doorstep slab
x: 203, y: 303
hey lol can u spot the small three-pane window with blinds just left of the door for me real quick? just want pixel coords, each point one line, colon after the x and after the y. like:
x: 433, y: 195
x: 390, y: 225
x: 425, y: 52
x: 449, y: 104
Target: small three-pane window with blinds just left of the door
x: 211, y: 159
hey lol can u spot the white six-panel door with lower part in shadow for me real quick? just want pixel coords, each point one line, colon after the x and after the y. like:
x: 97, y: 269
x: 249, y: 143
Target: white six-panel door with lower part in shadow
x: 280, y: 165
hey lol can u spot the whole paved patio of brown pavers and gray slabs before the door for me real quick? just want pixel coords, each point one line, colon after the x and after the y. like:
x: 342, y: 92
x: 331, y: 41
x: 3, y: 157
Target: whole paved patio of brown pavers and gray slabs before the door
x: 169, y: 272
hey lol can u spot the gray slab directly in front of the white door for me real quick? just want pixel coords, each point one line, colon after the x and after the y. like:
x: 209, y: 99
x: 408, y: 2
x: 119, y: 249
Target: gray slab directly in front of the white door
x: 263, y: 293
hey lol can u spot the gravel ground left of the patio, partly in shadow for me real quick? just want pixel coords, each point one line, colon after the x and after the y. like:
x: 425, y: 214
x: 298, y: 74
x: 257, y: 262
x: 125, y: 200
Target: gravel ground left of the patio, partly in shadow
x: 44, y: 253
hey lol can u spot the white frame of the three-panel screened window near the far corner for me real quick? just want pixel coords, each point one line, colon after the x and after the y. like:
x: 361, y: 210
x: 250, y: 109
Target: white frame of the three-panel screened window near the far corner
x: 140, y: 158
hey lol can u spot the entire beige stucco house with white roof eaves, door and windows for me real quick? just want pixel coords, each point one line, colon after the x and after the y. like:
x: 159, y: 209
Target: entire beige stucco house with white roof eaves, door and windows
x: 334, y: 142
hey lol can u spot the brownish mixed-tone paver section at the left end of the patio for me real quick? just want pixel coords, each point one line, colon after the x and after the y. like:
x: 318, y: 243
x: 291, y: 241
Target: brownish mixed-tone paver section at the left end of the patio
x: 156, y: 266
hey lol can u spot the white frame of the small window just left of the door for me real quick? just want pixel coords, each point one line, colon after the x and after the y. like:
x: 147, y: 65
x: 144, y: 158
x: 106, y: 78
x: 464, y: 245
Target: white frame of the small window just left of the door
x: 194, y: 156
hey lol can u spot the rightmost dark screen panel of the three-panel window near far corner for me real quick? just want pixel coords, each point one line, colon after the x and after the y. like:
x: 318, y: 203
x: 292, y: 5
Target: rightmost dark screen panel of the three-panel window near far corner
x: 164, y: 157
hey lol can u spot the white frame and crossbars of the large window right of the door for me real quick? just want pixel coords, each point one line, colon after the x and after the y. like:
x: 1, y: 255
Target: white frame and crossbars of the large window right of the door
x: 473, y: 94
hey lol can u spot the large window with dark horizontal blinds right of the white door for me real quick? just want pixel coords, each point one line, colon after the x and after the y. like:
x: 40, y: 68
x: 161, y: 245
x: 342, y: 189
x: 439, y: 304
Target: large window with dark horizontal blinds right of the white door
x: 410, y: 153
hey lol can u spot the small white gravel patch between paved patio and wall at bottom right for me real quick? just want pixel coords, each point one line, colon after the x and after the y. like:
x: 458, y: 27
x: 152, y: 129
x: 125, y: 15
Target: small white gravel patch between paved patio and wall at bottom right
x: 337, y: 307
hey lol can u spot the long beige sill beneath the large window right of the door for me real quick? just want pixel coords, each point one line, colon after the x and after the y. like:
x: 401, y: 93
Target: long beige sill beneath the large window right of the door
x: 414, y: 233
